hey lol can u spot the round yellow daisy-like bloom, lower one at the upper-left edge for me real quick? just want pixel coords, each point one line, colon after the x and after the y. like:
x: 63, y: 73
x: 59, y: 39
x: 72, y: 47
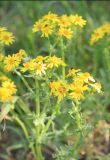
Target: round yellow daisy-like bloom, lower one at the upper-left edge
x: 6, y: 38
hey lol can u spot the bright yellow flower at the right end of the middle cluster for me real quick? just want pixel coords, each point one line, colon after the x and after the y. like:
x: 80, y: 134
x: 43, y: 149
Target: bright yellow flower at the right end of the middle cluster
x: 54, y: 62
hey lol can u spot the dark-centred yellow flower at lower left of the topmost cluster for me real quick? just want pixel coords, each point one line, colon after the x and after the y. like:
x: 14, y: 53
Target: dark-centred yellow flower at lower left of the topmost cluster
x: 46, y: 31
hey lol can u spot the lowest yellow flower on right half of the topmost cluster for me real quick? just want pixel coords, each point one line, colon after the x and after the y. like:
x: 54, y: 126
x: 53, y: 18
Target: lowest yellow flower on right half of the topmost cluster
x: 66, y: 32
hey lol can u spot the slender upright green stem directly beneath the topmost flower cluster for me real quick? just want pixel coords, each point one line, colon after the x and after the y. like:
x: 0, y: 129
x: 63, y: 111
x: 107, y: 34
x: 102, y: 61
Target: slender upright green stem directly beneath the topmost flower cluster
x: 63, y: 58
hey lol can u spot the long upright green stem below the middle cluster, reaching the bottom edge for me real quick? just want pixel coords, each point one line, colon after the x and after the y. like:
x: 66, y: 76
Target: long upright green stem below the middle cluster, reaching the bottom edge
x: 38, y: 141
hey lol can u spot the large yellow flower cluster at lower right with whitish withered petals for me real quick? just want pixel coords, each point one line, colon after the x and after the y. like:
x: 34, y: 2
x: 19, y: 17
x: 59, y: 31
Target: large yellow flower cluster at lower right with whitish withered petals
x: 81, y: 83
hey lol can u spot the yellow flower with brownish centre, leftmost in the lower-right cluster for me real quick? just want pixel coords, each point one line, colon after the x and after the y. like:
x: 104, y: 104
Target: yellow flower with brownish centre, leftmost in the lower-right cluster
x: 59, y: 89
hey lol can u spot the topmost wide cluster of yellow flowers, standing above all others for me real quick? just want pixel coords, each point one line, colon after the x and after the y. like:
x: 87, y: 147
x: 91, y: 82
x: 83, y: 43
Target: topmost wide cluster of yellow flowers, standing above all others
x: 58, y: 25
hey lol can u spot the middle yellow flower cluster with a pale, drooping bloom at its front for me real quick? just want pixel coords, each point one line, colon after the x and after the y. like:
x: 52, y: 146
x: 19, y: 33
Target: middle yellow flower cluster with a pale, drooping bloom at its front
x: 40, y: 64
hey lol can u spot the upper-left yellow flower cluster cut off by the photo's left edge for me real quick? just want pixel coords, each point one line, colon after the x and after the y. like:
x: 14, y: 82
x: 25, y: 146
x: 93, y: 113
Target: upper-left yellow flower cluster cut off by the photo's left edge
x: 6, y: 38
